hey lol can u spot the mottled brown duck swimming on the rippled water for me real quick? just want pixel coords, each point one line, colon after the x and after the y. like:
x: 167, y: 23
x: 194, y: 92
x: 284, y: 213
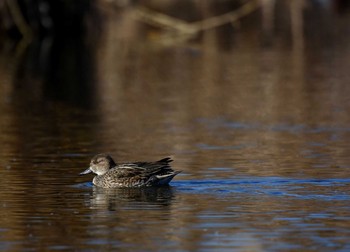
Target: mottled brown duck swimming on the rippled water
x: 109, y: 174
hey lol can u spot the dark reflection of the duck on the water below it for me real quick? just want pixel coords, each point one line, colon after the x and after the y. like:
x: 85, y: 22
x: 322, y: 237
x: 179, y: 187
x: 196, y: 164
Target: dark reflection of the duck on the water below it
x: 115, y: 198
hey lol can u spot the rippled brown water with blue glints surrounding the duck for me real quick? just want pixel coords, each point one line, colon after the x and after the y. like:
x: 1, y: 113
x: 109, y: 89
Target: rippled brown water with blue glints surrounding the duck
x: 262, y: 135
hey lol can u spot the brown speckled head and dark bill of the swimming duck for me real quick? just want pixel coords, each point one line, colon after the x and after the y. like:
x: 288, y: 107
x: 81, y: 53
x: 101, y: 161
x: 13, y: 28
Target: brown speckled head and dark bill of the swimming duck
x: 100, y: 164
